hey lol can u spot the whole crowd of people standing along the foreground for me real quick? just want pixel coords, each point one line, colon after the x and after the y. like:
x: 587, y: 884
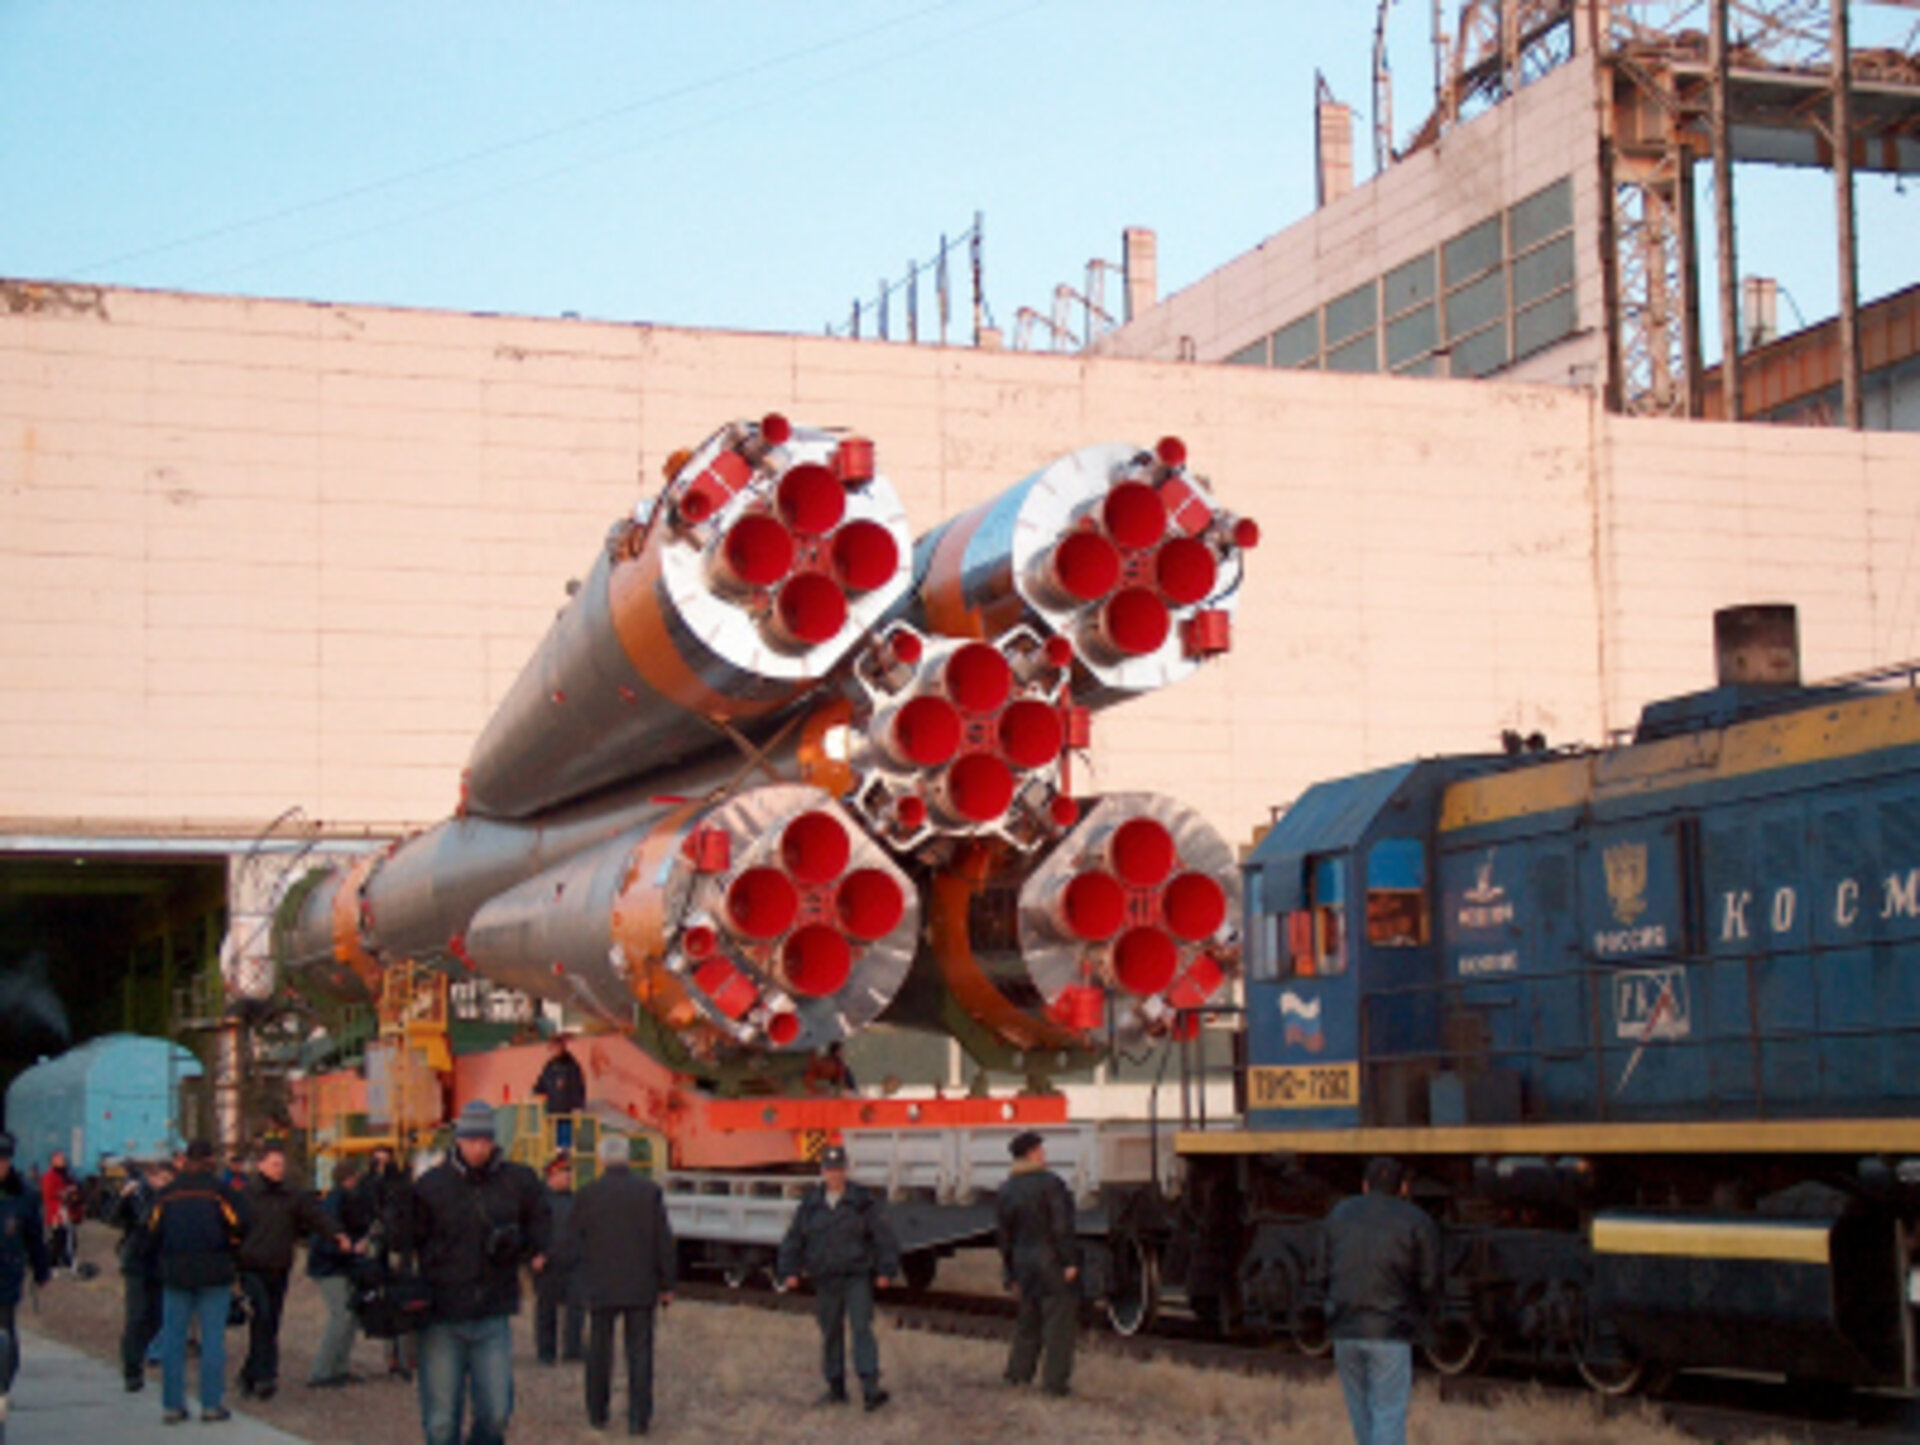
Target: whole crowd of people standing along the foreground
x: 206, y: 1244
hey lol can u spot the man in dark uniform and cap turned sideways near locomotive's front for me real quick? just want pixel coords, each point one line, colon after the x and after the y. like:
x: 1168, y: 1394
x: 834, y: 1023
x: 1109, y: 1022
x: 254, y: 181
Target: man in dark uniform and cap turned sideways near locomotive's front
x: 1034, y: 1221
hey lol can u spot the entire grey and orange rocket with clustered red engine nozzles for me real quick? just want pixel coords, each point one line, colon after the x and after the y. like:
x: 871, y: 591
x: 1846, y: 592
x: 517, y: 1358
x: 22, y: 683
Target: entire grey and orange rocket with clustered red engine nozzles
x: 780, y: 772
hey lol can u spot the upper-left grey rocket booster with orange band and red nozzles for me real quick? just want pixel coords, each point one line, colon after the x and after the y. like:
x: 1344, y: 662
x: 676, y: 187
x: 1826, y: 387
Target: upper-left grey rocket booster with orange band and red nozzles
x: 769, y: 557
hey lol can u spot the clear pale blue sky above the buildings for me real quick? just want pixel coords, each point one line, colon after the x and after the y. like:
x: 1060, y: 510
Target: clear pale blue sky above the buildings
x: 732, y: 164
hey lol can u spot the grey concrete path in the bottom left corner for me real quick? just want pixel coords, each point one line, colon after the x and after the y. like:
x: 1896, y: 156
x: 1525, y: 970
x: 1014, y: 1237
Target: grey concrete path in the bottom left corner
x: 66, y: 1398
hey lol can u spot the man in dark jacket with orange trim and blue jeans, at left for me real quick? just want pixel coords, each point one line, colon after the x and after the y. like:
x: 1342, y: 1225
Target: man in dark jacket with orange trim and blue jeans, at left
x: 197, y: 1229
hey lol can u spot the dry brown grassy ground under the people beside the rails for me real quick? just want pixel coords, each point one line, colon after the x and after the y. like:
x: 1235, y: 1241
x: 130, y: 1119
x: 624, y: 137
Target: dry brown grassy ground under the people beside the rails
x: 731, y: 1375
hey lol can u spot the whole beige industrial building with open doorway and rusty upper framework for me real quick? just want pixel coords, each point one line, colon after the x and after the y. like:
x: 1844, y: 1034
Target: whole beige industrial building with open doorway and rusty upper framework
x: 272, y: 563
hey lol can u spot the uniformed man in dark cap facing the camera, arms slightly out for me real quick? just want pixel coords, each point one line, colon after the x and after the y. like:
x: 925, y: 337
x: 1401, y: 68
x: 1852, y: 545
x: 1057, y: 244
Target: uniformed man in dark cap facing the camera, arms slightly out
x: 840, y: 1239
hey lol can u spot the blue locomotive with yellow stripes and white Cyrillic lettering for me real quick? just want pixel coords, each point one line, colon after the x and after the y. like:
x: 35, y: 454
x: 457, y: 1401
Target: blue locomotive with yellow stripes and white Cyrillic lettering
x: 1644, y: 1022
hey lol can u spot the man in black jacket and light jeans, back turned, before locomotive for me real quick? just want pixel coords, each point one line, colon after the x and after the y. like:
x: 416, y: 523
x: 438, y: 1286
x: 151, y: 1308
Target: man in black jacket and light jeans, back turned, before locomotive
x: 1381, y: 1262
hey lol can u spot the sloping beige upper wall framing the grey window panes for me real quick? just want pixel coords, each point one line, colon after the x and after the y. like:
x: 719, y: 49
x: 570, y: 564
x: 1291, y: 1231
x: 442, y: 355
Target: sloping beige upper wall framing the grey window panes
x: 1474, y: 172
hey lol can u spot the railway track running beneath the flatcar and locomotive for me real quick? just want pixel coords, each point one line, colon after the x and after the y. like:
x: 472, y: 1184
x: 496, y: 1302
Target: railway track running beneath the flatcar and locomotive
x: 1706, y: 1408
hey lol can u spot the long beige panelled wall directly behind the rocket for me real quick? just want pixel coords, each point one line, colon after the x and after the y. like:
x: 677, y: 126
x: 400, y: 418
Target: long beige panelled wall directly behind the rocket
x: 266, y: 556
